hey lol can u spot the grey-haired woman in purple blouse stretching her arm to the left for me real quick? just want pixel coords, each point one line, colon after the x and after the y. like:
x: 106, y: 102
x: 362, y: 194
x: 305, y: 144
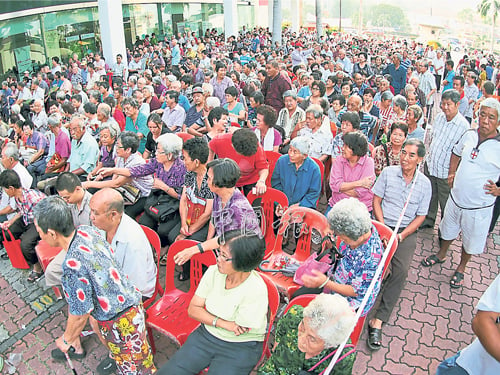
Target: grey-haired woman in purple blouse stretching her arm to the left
x: 167, y: 168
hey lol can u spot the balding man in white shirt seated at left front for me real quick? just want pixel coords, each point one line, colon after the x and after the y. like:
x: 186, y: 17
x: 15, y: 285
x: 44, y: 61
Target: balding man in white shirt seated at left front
x: 132, y: 250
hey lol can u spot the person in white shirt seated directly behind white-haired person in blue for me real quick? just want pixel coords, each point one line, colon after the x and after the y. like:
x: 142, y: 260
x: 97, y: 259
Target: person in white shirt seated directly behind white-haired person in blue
x: 321, y: 137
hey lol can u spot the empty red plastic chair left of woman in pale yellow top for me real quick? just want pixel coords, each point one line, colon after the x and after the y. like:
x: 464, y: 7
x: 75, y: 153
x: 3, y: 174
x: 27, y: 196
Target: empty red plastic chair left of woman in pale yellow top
x: 169, y: 314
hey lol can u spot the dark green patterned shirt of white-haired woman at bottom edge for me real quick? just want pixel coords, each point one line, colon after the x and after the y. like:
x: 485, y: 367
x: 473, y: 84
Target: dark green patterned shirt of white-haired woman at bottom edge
x: 287, y: 359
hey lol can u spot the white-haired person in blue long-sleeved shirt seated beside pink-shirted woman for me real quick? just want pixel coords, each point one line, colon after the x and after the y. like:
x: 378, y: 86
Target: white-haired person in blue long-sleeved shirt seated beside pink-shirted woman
x: 297, y: 175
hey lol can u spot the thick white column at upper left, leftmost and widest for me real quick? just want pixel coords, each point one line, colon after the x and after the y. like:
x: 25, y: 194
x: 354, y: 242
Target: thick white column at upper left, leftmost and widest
x: 112, y: 32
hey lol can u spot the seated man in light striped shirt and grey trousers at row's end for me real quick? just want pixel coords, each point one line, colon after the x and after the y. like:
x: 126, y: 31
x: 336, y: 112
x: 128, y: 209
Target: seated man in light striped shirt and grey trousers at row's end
x: 395, y: 185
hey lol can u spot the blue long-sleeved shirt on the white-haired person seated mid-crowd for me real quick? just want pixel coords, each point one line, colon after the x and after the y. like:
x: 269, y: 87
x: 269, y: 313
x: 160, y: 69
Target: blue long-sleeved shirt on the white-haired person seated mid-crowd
x: 302, y: 186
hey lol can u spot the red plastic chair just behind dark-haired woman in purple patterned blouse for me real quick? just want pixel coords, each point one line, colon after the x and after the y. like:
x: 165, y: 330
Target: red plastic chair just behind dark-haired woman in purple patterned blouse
x: 269, y: 198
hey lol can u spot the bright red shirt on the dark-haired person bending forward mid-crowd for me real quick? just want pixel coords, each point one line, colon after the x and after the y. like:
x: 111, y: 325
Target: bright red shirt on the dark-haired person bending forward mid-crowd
x: 249, y: 165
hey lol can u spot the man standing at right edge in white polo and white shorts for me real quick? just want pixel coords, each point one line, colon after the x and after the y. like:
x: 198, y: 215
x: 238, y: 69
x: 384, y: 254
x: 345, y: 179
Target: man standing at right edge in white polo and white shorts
x: 474, y: 168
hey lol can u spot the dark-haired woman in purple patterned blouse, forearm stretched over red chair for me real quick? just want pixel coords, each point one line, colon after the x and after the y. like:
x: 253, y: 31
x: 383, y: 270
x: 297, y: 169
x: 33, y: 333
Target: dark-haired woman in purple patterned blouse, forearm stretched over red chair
x: 231, y: 209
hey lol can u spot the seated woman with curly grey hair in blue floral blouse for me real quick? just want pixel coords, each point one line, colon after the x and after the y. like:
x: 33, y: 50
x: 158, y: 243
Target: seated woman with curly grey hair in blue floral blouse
x: 362, y: 251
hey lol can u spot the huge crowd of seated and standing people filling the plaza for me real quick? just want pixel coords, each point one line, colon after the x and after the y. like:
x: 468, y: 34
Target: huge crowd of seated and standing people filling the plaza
x: 178, y: 132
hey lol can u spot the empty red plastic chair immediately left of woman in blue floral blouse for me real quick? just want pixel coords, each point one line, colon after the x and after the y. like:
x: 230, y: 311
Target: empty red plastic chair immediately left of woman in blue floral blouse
x: 309, y: 220
